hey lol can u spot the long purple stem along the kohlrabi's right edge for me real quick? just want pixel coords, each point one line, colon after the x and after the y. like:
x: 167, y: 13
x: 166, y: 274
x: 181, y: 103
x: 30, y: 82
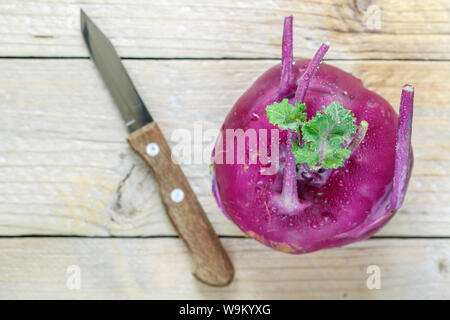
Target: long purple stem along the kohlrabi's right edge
x: 403, y: 152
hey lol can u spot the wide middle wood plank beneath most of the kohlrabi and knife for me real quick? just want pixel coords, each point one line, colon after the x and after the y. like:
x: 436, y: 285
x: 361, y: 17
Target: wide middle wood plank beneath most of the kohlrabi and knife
x: 65, y: 168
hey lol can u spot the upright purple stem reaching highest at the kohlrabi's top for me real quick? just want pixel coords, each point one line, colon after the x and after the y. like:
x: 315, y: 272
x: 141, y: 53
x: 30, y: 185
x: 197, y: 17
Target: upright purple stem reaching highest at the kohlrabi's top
x: 287, y: 58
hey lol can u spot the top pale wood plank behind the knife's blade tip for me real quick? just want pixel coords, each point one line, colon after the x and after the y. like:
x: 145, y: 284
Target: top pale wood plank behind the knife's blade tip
x: 370, y: 29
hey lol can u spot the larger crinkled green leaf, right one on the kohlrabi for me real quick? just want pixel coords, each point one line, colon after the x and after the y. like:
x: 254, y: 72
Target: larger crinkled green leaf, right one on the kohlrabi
x: 323, y: 137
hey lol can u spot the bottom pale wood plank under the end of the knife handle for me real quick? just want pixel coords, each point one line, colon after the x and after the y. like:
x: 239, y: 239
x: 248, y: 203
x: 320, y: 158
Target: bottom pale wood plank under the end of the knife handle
x: 159, y: 269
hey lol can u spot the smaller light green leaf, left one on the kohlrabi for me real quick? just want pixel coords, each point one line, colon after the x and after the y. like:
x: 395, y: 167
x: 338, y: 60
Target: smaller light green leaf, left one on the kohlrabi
x: 285, y: 115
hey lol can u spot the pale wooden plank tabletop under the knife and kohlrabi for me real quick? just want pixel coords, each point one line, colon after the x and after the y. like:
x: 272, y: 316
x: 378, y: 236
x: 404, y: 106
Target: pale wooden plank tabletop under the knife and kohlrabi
x: 73, y: 195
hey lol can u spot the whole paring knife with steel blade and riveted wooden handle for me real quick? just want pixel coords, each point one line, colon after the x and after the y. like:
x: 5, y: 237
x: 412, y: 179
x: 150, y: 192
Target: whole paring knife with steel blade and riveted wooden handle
x: 211, y: 263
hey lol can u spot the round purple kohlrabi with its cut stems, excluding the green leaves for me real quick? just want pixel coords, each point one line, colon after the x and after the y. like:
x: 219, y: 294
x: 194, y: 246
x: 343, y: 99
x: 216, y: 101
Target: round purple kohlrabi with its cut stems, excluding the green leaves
x: 297, y: 208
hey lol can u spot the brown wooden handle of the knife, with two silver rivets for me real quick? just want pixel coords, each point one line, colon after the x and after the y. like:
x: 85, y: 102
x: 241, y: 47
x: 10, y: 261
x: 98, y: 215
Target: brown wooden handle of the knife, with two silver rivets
x: 211, y: 263
